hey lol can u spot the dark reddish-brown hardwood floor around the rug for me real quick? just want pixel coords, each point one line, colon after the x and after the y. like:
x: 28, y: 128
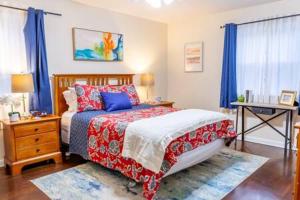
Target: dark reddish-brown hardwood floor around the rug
x: 272, y: 181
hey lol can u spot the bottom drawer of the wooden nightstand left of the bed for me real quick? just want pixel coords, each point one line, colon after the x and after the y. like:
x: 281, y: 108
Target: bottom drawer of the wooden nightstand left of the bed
x: 37, y: 150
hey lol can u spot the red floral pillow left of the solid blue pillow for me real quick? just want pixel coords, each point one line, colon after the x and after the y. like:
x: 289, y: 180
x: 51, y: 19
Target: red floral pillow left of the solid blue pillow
x: 88, y: 98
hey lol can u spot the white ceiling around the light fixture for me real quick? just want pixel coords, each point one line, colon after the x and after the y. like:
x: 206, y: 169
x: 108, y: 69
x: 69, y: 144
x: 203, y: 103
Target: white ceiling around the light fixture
x: 178, y: 9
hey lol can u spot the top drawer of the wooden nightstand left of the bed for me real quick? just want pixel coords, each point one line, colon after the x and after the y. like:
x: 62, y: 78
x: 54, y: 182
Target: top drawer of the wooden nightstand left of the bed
x: 34, y: 128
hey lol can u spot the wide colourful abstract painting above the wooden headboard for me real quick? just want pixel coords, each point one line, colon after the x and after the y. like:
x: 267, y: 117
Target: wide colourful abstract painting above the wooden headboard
x: 90, y: 45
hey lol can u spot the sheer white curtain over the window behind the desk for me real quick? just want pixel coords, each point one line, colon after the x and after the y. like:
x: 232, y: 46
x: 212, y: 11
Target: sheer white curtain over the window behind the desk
x: 268, y: 58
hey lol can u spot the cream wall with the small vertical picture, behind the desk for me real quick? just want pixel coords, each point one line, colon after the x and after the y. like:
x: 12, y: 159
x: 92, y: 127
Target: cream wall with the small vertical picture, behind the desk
x: 202, y: 90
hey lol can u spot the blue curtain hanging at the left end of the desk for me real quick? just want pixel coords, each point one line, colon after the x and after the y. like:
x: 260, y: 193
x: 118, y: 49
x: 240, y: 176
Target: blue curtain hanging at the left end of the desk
x: 228, y: 82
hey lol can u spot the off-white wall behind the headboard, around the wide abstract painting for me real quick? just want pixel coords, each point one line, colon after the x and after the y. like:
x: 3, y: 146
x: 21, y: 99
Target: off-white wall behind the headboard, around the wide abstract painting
x: 145, y: 41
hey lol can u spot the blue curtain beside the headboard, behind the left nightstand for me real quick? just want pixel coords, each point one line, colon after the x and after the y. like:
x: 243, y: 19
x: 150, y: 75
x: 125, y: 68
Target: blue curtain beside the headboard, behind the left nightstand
x: 37, y: 60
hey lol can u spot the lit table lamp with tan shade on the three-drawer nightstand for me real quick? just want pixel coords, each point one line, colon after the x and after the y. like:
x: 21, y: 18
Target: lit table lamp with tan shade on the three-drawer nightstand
x: 22, y: 83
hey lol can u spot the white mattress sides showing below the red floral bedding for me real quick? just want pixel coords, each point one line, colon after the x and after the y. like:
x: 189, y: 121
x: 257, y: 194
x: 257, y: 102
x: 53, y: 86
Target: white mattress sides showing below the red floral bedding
x: 185, y: 160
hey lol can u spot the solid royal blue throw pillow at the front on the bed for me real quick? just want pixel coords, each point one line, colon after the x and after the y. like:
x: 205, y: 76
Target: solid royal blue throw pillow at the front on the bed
x: 115, y: 101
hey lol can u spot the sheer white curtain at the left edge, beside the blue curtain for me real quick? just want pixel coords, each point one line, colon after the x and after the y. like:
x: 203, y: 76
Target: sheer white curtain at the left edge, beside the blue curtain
x: 12, y: 50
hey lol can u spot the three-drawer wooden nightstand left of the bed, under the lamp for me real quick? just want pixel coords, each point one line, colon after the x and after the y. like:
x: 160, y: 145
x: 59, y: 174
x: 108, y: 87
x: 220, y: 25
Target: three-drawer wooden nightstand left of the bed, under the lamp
x: 31, y: 141
